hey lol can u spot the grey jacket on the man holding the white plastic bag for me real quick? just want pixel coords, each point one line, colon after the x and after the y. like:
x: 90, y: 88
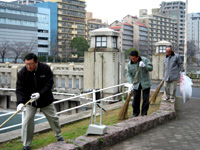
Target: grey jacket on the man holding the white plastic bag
x: 173, y: 65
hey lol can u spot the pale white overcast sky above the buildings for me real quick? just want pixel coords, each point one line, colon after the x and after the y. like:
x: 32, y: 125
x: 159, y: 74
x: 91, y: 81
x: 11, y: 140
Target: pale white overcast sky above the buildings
x: 111, y: 10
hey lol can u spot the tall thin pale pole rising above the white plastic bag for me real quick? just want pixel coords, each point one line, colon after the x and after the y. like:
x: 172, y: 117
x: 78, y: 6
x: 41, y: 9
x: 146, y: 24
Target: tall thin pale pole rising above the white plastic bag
x: 186, y: 39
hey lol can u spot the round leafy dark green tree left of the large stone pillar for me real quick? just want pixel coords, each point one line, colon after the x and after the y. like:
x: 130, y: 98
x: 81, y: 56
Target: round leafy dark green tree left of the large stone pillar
x: 80, y: 45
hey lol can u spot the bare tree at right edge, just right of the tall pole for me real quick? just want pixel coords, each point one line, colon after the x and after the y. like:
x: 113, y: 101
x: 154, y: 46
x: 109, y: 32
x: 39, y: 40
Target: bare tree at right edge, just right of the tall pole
x: 192, y: 50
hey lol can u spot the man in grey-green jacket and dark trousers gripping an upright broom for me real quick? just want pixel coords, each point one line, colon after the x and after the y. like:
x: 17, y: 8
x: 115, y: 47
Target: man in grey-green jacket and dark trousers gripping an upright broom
x: 143, y: 82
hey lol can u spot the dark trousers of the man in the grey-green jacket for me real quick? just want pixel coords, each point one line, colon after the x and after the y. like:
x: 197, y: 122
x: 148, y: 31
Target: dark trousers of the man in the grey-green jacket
x: 136, y: 101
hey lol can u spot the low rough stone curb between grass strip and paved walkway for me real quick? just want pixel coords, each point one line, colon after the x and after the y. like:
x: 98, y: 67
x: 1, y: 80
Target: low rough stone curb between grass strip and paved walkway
x: 119, y: 132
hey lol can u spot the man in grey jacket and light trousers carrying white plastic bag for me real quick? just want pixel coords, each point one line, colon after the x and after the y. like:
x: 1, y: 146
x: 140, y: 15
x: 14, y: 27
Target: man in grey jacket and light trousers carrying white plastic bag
x: 173, y: 64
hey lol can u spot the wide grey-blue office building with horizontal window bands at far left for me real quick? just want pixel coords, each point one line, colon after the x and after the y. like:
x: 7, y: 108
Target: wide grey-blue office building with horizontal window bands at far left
x: 18, y: 27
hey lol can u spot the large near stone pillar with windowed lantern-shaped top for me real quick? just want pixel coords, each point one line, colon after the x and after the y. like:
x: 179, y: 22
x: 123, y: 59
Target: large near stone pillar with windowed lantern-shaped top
x: 104, y: 64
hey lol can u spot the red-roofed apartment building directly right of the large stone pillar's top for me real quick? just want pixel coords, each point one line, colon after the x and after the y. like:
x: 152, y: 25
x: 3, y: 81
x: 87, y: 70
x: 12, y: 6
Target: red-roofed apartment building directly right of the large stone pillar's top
x: 126, y: 34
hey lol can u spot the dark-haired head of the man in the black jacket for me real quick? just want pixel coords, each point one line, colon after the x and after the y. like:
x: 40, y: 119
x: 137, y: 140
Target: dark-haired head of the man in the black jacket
x: 31, y: 62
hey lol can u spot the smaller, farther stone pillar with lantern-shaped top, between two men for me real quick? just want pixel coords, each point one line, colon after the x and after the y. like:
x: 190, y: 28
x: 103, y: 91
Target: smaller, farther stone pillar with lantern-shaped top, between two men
x: 158, y: 60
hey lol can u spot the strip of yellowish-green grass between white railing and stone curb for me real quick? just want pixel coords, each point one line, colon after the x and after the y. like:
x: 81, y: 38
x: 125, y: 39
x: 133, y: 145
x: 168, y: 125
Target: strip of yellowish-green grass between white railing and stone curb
x: 72, y: 131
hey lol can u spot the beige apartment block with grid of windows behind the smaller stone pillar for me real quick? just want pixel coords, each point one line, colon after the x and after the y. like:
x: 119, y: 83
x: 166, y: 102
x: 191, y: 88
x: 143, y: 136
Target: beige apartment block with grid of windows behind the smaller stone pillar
x: 160, y: 28
